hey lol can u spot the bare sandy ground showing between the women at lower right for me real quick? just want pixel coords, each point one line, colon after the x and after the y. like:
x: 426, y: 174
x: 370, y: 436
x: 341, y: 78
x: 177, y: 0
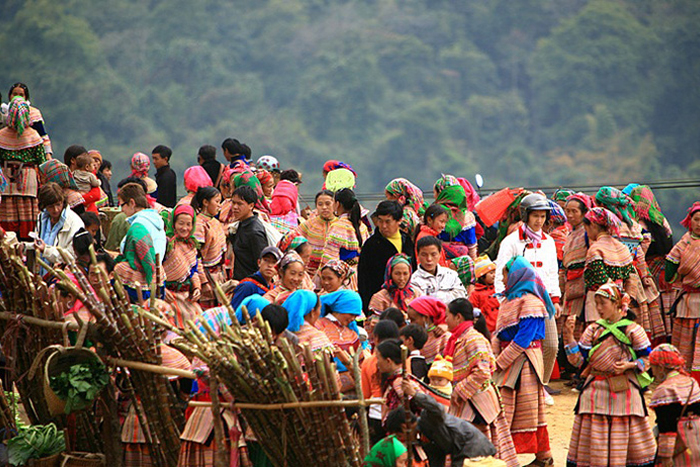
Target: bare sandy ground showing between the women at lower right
x: 560, y: 420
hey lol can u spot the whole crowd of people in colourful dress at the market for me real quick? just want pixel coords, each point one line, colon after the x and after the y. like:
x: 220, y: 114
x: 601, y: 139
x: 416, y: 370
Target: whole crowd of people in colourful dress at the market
x: 587, y: 285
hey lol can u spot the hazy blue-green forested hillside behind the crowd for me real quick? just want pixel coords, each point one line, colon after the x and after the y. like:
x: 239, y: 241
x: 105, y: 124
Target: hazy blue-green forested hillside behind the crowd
x: 525, y: 92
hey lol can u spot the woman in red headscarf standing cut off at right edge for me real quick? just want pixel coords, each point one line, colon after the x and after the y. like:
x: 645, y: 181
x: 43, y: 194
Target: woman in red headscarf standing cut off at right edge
x: 683, y: 269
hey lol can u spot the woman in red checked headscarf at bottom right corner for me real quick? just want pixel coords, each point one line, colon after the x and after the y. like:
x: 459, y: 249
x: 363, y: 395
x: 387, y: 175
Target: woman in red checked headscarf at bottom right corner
x: 676, y: 396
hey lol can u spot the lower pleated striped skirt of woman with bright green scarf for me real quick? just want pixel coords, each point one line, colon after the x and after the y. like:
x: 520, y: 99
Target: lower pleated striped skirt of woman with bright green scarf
x: 603, y: 440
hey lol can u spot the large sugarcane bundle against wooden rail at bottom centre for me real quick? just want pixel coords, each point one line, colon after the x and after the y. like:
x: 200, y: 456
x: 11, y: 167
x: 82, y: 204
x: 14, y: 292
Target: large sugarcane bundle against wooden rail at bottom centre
x: 255, y: 370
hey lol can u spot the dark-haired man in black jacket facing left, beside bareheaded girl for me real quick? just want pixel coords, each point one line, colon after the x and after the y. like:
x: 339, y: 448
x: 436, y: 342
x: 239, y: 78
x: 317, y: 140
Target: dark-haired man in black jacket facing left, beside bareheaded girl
x: 250, y: 237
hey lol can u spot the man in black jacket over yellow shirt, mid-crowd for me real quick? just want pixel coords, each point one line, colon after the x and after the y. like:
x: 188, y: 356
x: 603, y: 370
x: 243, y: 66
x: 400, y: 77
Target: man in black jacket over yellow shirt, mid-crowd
x: 386, y: 241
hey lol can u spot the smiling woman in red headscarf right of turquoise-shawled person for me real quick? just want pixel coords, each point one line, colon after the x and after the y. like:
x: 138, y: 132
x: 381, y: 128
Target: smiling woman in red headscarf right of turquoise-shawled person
x: 182, y: 286
